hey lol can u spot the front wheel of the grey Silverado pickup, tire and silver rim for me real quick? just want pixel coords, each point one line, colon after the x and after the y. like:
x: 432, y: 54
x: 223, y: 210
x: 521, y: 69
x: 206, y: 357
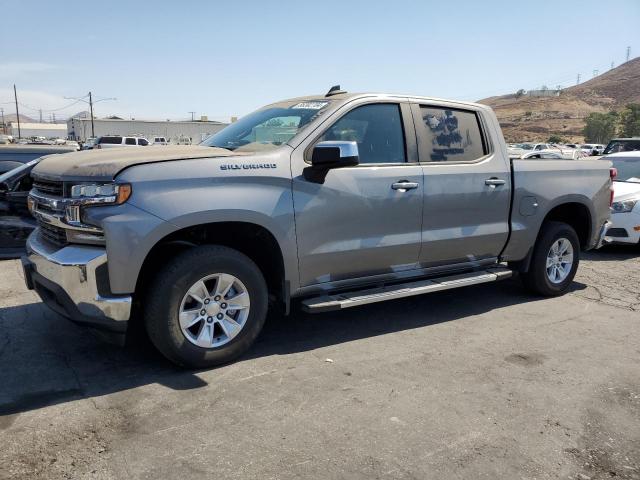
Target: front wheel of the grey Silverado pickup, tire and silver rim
x: 169, y: 296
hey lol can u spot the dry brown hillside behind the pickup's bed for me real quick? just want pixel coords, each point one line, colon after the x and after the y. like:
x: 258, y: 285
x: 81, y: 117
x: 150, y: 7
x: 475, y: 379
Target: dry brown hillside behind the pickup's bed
x: 535, y: 118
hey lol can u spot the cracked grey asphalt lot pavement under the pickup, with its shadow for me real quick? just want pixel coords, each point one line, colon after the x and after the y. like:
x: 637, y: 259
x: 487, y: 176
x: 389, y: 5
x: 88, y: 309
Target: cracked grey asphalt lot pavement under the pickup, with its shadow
x: 486, y: 382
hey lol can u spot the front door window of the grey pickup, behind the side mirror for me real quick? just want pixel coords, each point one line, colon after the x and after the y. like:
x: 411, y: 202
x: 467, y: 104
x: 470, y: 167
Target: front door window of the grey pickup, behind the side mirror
x: 376, y: 128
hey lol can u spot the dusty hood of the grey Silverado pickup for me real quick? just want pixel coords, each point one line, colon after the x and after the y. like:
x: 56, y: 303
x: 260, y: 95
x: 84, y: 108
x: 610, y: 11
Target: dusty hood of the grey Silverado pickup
x: 105, y: 164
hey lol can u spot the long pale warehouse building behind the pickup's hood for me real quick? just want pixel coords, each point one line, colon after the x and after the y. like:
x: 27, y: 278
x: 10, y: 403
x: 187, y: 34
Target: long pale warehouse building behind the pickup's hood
x: 196, y: 131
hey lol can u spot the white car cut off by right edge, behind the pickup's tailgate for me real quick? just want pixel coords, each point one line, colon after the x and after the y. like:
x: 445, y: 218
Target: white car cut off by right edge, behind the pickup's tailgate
x: 625, y: 211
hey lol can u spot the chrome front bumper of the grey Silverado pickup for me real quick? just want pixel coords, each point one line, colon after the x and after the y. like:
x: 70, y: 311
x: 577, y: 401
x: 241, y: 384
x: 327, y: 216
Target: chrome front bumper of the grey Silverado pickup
x: 73, y: 281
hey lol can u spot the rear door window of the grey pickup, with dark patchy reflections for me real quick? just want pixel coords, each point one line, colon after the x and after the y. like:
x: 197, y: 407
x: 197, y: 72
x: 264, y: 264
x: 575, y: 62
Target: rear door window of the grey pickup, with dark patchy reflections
x: 451, y: 135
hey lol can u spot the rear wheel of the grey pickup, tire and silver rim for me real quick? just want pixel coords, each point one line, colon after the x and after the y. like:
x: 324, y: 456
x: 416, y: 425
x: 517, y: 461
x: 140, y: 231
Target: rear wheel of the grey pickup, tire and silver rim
x: 538, y: 278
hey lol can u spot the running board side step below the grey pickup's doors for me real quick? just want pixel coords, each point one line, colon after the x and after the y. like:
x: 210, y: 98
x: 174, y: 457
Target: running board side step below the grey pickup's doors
x: 327, y: 303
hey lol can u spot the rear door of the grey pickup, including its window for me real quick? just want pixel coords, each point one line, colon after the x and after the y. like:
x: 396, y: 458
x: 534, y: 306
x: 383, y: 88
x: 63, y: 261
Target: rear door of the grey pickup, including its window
x: 467, y: 184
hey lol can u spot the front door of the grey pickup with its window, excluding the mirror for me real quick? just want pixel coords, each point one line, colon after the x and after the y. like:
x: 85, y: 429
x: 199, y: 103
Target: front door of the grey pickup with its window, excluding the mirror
x: 361, y: 221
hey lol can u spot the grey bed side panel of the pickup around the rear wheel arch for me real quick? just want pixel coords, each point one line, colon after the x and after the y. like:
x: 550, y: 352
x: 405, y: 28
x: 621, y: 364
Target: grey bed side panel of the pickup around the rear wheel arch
x: 550, y: 183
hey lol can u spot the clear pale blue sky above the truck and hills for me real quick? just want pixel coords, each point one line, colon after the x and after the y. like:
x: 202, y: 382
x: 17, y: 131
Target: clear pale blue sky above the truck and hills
x: 164, y: 59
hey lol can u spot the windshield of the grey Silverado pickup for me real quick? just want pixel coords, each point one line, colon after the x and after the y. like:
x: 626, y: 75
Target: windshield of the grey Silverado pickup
x: 267, y: 128
